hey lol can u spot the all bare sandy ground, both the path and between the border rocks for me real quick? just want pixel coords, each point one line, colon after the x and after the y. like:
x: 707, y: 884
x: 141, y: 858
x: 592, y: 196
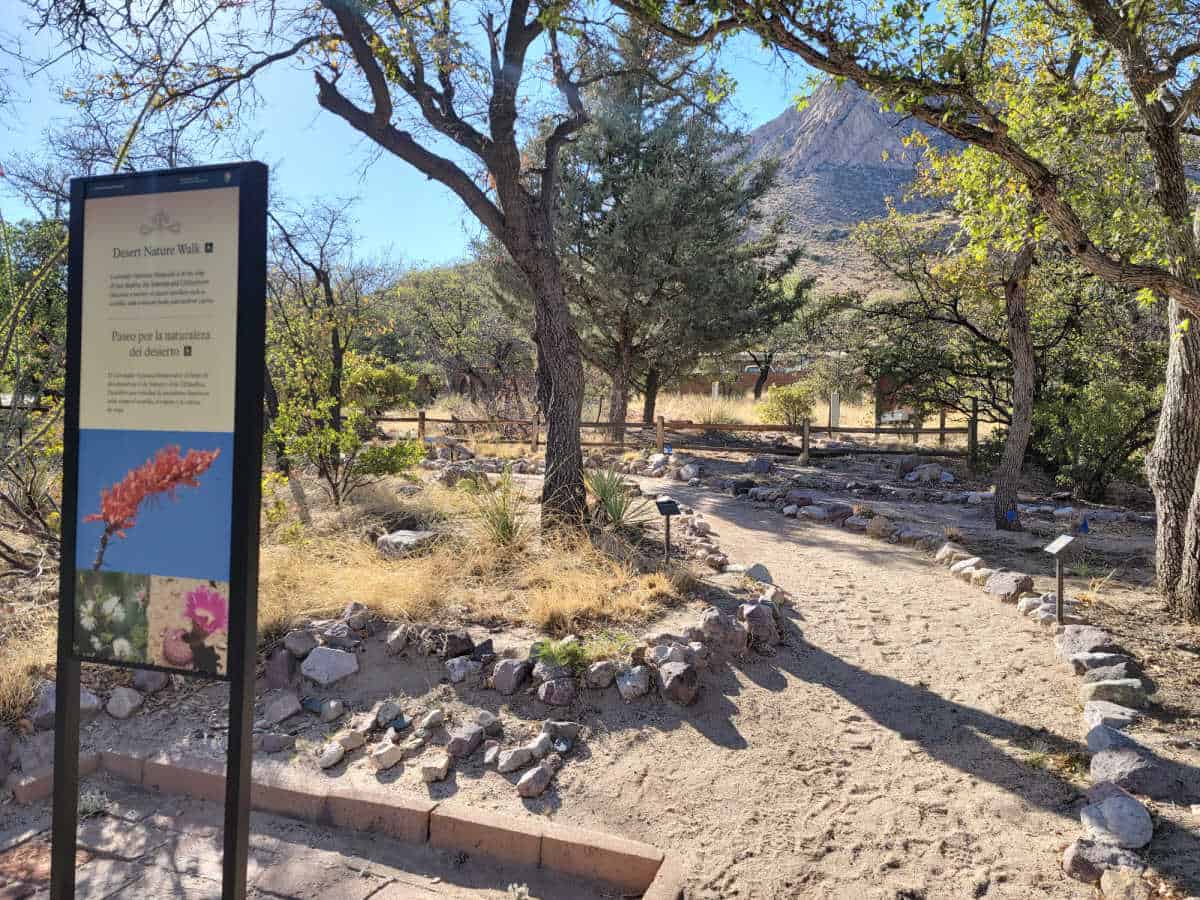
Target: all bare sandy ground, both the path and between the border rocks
x: 910, y: 740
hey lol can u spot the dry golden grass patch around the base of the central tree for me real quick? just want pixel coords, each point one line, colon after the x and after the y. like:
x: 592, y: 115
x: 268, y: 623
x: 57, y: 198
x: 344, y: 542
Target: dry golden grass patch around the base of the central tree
x: 555, y: 586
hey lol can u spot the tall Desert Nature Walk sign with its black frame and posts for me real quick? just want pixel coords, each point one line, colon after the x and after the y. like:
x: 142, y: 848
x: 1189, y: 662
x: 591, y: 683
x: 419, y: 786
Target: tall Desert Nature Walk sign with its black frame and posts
x: 163, y: 457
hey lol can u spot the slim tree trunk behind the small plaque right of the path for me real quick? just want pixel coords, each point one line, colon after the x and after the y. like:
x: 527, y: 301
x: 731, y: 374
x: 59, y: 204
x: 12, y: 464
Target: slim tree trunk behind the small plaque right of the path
x: 1021, y: 345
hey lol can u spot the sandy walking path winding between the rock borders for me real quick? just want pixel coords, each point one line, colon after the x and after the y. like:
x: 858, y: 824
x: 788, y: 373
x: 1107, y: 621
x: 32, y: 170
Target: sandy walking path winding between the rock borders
x: 878, y: 755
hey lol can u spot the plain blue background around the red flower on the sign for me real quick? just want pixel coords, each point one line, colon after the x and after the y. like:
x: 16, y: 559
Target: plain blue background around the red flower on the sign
x: 189, y: 536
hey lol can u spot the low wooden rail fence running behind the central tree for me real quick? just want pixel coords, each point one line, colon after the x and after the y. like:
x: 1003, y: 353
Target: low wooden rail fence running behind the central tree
x: 662, y: 425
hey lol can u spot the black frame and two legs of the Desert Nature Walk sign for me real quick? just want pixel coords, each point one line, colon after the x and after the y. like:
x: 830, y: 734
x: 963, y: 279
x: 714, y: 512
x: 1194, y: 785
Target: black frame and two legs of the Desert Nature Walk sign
x: 251, y: 179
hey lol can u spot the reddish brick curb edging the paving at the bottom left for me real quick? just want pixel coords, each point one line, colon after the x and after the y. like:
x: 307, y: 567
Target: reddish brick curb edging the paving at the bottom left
x: 449, y: 825
